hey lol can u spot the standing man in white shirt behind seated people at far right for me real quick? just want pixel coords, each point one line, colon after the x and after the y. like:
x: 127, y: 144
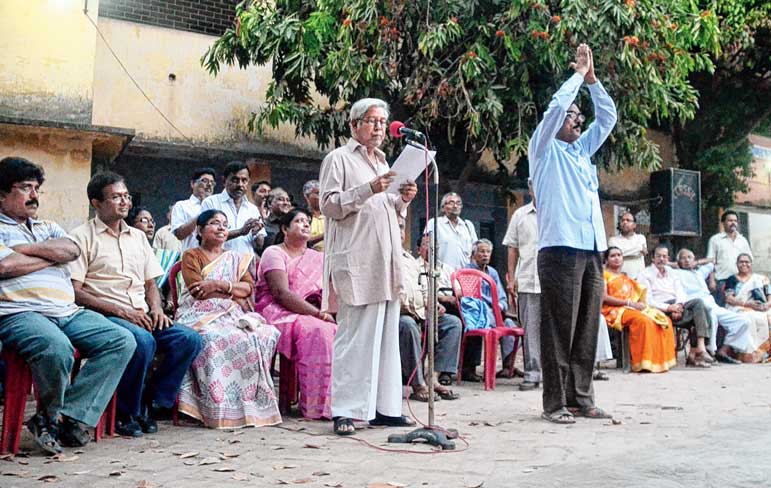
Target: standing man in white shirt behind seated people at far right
x: 724, y: 248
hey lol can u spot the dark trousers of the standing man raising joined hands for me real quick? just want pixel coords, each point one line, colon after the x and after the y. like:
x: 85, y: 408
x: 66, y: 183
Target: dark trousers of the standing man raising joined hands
x: 571, y: 297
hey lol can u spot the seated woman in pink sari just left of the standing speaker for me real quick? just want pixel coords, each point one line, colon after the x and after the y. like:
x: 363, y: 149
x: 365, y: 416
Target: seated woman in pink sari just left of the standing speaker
x: 289, y: 296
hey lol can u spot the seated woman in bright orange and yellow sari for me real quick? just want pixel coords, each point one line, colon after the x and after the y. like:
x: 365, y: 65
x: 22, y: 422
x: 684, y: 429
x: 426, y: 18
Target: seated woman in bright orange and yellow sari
x: 651, y: 336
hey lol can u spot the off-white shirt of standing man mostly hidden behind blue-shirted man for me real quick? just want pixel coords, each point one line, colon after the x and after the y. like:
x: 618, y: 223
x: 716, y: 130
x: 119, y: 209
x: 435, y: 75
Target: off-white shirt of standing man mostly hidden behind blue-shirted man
x: 522, y: 233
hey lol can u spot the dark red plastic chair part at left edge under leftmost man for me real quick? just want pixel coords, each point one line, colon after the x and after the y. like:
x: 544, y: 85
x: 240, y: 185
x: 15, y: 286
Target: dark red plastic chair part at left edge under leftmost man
x: 18, y: 380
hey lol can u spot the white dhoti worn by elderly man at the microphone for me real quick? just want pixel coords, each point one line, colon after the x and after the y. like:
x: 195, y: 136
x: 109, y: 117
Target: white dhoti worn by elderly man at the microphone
x: 366, y: 366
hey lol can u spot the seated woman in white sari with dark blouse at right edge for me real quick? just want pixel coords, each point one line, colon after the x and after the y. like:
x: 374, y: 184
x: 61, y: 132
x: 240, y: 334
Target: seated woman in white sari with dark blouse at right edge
x: 747, y: 292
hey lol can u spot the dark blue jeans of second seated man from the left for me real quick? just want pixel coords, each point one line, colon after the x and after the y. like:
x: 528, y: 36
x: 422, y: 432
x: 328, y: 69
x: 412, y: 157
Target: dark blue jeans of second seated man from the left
x: 179, y: 346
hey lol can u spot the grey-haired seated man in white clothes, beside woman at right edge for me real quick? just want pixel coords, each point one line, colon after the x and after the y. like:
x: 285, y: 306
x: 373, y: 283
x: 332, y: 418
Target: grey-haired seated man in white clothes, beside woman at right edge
x: 738, y: 327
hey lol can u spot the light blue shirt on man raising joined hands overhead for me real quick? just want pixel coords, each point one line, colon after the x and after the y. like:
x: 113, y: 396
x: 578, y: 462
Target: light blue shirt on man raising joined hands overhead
x: 564, y: 178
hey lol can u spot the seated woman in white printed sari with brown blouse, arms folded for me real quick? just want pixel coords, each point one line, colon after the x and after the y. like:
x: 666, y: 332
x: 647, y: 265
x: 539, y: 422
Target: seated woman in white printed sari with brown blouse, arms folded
x: 229, y: 383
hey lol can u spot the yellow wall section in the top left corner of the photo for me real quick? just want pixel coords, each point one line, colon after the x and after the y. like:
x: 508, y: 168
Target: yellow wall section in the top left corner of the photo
x: 46, y: 59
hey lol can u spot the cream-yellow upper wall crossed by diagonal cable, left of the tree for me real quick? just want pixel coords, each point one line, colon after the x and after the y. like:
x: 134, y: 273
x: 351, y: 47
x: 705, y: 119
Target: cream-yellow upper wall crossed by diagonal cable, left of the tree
x: 204, y: 108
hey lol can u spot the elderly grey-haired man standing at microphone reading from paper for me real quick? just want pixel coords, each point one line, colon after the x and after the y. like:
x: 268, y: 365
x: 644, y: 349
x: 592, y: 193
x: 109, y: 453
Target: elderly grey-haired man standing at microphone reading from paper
x: 362, y: 276
